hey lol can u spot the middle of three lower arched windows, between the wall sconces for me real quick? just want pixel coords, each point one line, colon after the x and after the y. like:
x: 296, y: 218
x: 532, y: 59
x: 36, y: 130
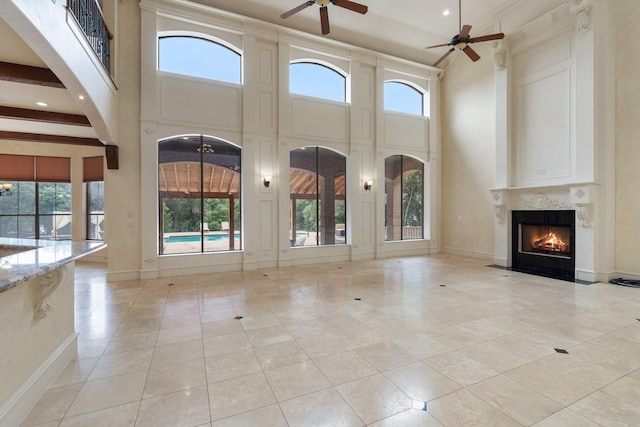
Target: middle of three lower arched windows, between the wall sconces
x: 318, y: 197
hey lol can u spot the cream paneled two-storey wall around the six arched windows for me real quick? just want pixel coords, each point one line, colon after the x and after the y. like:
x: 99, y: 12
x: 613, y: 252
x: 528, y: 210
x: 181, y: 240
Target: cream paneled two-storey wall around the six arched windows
x: 267, y: 122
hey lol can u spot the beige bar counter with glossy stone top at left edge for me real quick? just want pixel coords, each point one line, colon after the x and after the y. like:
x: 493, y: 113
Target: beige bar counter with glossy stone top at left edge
x: 37, y: 334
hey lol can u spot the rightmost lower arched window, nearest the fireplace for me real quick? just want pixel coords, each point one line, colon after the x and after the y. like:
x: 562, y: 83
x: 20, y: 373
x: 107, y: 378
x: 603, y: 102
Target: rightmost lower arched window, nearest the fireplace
x: 404, y: 190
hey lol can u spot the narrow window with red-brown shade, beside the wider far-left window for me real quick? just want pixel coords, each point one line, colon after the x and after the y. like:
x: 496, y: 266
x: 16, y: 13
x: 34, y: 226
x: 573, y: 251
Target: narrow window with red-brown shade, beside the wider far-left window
x: 93, y: 177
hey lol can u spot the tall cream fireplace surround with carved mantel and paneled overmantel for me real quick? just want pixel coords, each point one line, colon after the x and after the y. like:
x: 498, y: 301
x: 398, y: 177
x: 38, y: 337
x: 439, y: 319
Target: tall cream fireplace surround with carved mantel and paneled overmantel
x: 554, y: 131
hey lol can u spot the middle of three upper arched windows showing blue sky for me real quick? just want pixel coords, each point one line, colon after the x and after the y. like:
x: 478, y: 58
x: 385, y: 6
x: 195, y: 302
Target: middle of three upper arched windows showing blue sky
x: 319, y: 81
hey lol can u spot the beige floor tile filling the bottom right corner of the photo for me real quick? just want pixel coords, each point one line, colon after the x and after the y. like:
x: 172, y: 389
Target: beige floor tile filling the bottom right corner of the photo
x: 607, y: 410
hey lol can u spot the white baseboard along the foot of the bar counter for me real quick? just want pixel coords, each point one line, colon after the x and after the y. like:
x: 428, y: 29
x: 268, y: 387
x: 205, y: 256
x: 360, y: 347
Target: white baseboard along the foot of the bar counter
x: 23, y: 400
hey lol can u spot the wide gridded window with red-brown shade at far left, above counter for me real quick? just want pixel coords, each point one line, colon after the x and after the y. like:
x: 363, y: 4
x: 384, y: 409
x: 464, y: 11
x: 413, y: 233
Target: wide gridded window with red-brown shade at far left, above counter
x: 40, y: 204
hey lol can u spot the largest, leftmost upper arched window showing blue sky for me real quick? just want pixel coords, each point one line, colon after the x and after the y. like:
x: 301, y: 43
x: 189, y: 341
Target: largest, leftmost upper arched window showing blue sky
x: 198, y: 57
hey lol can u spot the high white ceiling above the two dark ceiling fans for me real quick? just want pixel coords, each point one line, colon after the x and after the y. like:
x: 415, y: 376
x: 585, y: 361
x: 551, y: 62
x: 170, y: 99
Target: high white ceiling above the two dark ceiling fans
x: 401, y: 28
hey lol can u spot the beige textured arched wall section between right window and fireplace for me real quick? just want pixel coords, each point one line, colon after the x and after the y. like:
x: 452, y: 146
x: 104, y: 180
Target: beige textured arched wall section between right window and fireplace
x: 468, y: 154
